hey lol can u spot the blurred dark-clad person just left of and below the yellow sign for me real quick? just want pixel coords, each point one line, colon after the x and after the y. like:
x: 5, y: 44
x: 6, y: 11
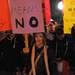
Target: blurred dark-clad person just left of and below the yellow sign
x: 60, y: 42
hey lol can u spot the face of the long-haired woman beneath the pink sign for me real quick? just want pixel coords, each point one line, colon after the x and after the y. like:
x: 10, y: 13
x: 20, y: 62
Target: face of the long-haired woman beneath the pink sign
x: 39, y: 39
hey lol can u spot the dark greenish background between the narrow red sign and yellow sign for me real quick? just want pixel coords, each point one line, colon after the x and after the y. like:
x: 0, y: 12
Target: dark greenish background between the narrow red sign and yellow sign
x: 56, y: 14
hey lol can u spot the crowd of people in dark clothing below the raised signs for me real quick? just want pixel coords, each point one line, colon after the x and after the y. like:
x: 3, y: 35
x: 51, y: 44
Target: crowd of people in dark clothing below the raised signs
x: 44, y: 51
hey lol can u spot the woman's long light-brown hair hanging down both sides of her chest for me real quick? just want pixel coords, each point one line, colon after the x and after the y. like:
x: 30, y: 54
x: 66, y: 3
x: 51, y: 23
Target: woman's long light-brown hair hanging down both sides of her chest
x: 34, y: 63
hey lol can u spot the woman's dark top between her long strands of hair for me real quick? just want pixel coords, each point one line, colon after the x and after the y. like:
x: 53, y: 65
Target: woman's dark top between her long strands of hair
x: 40, y: 68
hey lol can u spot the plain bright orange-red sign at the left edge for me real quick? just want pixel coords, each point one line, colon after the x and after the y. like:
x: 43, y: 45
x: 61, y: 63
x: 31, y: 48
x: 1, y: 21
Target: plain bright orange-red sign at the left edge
x: 4, y: 16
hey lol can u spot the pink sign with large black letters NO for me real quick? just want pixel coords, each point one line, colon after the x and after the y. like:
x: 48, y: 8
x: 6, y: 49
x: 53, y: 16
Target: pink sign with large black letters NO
x: 26, y: 16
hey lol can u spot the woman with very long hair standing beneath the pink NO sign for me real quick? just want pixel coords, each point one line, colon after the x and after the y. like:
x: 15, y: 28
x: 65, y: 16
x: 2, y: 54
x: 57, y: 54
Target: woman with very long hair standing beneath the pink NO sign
x: 39, y: 57
